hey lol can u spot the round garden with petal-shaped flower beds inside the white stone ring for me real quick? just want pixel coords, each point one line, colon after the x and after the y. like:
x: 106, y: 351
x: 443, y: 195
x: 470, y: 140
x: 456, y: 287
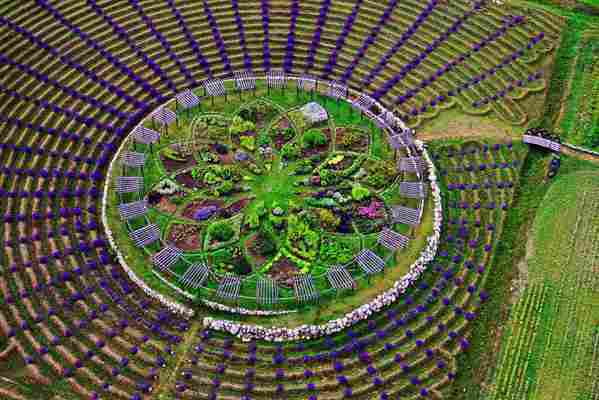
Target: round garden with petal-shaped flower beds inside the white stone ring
x: 263, y: 190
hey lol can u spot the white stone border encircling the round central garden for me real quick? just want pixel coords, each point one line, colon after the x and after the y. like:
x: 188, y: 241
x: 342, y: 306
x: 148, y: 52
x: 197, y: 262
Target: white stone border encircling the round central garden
x: 249, y: 331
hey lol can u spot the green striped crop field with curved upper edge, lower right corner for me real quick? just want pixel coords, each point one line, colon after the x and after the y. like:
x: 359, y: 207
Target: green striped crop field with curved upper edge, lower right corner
x: 549, y: 348
